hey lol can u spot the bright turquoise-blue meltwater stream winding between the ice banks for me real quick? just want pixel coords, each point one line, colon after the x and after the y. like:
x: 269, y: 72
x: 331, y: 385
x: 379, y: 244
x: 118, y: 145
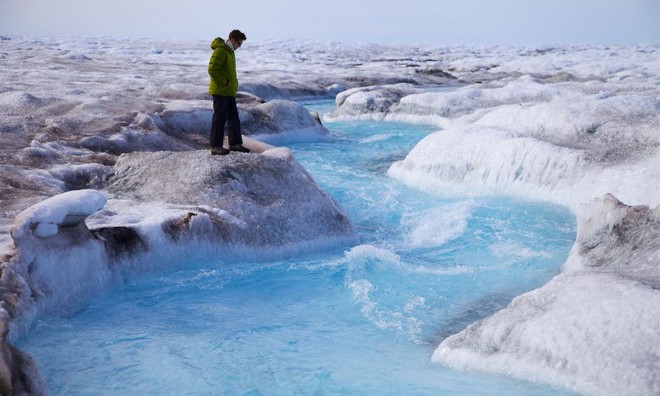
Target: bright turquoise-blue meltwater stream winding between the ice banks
x: 359, y: 319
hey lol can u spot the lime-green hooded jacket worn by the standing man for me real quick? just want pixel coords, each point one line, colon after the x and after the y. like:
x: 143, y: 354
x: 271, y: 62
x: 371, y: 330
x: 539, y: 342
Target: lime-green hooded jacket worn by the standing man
x: 222, y: 69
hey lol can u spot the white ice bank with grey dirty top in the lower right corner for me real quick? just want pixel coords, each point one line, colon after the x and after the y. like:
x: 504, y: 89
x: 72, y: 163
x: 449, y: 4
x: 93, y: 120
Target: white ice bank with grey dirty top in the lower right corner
x: 593, y: 328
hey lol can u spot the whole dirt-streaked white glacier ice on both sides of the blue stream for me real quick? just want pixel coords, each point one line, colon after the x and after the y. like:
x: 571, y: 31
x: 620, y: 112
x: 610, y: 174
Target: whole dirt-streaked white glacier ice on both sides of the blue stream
x: 96, y: 131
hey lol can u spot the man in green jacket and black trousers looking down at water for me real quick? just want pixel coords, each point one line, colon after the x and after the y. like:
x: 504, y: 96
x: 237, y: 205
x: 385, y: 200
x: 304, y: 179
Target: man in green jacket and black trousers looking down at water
x: 223, y: 87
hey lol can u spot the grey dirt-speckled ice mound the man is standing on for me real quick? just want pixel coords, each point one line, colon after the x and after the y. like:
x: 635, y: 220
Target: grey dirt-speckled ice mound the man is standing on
x: 252, y: 202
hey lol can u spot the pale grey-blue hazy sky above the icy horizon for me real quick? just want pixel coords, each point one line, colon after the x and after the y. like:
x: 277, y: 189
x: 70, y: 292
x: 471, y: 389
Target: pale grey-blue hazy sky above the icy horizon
x: 407, y: 21
